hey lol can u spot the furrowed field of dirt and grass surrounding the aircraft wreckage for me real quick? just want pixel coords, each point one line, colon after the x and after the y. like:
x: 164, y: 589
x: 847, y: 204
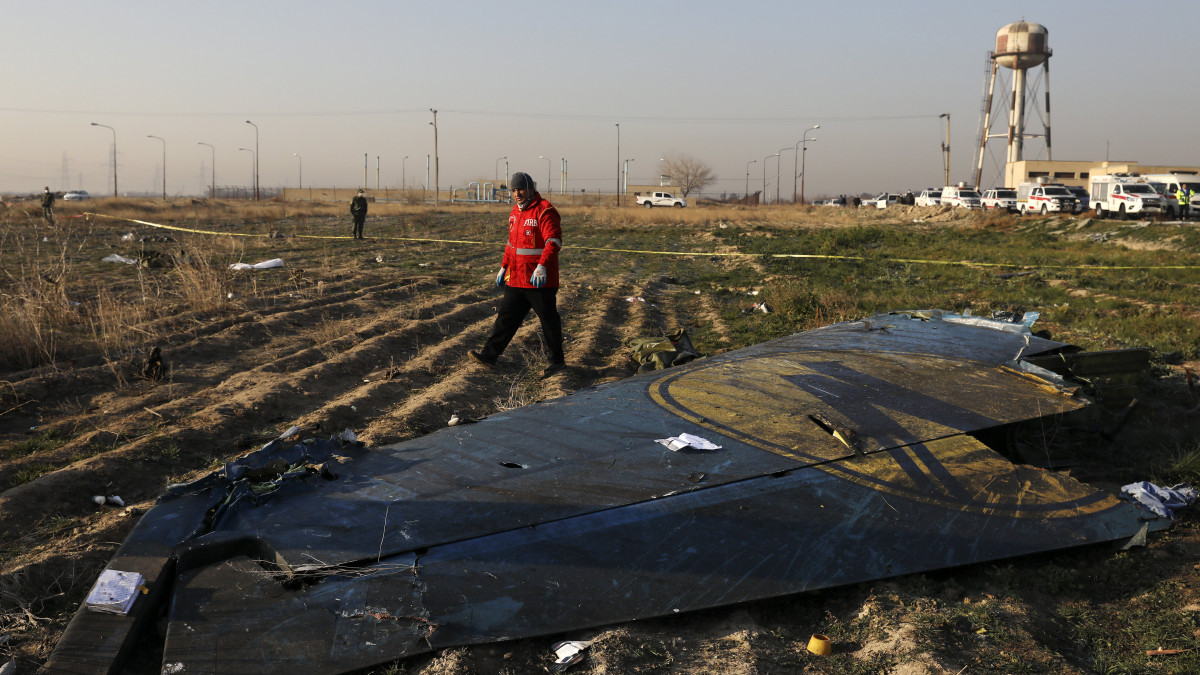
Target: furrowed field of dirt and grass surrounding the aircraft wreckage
x: 250, y: 354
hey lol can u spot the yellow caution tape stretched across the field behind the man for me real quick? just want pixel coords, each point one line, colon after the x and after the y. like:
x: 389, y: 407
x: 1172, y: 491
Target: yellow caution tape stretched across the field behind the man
x: 646, y: 253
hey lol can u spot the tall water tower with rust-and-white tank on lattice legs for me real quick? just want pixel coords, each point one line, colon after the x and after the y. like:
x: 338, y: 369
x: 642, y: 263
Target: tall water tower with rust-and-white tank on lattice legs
x: 1021, y: 47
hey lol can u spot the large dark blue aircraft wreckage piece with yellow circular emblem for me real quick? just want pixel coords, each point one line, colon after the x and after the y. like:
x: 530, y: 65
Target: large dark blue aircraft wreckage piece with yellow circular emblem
x: 847, y: 455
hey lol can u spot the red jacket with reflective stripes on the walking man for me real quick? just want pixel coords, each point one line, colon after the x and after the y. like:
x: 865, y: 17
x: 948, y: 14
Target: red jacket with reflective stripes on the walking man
x: 536, y: 236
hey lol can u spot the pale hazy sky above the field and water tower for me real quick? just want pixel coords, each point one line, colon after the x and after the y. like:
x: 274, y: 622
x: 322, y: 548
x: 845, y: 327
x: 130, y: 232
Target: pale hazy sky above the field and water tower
x: 728, y: 83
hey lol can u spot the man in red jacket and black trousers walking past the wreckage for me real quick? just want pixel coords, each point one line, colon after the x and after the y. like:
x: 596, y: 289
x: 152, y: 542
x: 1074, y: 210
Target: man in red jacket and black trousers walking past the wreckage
x: 529, y: 276
